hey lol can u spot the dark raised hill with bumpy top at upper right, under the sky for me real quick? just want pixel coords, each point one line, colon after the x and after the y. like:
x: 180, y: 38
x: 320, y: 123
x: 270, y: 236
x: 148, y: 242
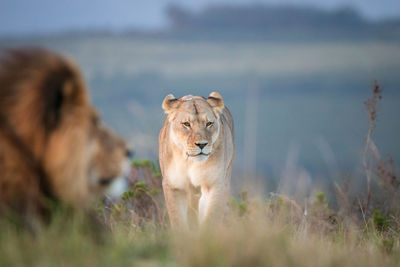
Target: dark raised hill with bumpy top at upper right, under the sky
x: 277, y: 22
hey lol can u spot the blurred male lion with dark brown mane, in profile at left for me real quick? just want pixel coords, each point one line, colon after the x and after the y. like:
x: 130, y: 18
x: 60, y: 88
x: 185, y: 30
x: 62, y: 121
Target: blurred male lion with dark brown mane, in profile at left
x: 53, y: 145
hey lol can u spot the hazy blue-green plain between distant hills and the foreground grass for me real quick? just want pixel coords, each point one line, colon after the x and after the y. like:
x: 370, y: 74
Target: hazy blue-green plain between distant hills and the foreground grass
x: 297, y: 95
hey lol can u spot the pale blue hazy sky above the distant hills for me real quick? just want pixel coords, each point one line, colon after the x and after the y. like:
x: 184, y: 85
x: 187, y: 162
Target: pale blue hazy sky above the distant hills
x: 42, y: 16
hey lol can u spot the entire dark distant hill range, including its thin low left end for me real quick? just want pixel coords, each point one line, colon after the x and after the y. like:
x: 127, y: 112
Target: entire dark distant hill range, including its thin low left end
x: 257, y: 22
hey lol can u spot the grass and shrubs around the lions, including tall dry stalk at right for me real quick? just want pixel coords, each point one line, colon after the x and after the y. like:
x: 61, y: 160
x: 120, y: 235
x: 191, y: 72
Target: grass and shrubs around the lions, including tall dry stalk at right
x: 275, y: 230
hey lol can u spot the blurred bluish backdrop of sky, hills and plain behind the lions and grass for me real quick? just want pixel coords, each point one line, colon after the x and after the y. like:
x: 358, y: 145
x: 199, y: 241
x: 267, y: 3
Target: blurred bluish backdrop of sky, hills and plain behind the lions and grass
x: 295, y: 74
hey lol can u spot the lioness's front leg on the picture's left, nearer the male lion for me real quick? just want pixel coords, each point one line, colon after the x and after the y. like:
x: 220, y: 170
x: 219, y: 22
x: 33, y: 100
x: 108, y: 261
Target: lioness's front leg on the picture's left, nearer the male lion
x: 177, y: 206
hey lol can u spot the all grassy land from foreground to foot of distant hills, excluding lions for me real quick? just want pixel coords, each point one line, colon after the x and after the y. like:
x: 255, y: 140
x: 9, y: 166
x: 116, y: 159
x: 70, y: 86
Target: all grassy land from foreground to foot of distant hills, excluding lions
x: 307, y: 117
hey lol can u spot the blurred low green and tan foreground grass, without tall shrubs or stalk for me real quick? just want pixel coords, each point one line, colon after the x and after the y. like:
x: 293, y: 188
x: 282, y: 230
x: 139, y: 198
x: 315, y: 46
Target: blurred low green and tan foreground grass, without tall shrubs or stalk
x: 257, y: 232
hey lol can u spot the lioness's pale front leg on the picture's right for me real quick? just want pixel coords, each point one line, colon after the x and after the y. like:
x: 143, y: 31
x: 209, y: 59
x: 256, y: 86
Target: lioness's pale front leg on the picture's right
x: 211, y: 204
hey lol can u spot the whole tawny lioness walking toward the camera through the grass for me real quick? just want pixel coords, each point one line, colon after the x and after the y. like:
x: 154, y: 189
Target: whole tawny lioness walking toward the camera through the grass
x: 196, y: 152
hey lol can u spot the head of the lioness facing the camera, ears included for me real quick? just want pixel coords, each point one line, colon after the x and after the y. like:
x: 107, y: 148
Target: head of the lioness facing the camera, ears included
x: 195, y: 123
